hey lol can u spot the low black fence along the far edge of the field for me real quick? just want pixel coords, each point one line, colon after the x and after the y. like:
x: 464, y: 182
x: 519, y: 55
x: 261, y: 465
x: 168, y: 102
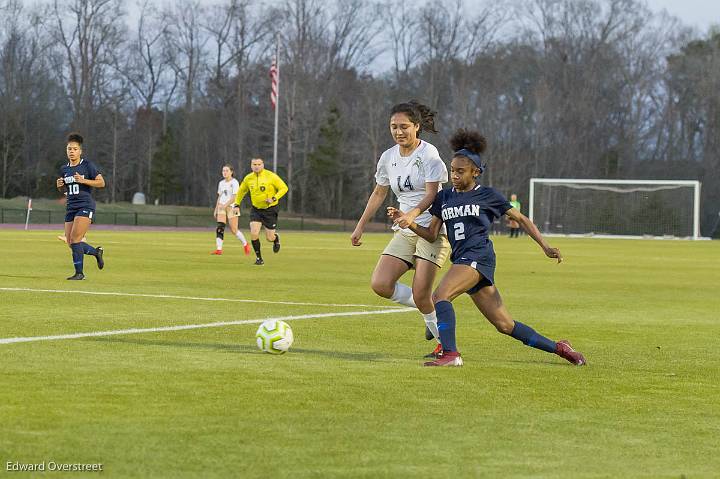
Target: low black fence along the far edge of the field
x: 302, y: 223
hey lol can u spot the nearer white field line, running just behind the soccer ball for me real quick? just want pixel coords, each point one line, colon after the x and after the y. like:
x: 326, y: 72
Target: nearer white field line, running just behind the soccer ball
x: 195, y: 326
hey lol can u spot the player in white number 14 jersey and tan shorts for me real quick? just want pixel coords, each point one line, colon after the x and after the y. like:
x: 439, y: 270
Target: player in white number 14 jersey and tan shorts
x: 415, y: 172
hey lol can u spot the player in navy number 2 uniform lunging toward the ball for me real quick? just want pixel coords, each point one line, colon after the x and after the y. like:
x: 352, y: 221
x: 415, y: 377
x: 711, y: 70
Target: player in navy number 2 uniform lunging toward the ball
x: 468, y: 211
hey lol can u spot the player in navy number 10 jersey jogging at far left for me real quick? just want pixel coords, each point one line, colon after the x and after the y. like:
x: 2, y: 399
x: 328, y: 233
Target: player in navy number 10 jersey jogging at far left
x: 77, y: 178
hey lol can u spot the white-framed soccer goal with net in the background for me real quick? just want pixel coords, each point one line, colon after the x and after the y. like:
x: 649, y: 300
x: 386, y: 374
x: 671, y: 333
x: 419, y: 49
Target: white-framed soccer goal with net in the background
x: 626, y: 208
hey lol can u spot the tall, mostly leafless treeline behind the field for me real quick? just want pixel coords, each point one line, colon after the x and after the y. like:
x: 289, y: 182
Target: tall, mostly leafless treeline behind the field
x: 561, y: 88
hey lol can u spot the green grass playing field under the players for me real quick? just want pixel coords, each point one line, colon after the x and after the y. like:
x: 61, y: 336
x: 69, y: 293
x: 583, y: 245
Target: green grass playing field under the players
x: 351, y: 398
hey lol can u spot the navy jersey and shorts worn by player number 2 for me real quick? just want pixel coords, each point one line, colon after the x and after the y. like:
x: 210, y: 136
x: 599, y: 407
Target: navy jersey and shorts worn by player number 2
x: 468, y: 217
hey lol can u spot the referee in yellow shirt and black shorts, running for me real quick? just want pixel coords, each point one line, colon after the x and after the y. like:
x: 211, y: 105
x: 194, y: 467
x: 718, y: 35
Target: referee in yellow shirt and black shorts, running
x: 266, y: 188
